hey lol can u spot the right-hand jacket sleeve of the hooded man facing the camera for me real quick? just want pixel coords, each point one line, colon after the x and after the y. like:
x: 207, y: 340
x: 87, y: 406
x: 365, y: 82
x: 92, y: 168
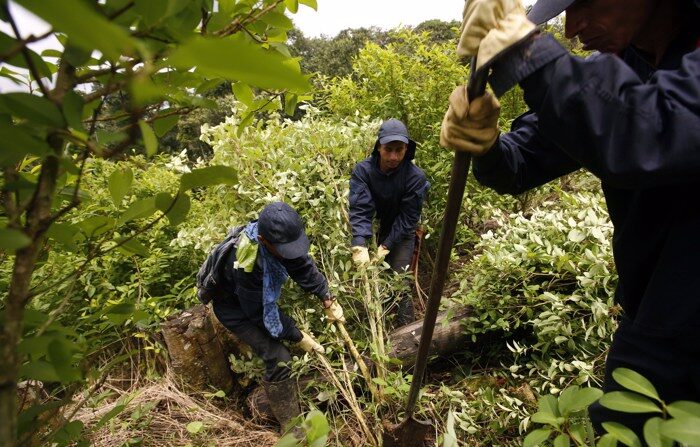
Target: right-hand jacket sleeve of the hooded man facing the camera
x: 411, y: 205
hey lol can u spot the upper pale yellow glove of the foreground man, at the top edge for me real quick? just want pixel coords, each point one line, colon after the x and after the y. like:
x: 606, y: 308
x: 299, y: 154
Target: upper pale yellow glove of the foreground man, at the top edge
x: 490, y: 27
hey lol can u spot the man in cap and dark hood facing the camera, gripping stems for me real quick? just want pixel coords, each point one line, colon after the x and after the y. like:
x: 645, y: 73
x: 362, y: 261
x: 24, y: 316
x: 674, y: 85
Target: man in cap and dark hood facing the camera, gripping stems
x: 389, y: 186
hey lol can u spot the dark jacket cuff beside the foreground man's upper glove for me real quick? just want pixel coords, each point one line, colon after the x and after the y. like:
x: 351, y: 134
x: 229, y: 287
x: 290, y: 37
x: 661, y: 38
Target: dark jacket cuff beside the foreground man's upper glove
x: 523, y: 61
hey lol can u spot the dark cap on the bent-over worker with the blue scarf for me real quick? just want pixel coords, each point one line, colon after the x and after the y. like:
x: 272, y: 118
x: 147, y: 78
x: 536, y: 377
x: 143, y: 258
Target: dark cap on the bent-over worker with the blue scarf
x: 281, y: 226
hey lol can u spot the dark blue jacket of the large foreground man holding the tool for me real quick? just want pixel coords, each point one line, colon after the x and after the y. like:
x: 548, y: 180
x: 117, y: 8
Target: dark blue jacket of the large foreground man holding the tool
x: 636, y: 128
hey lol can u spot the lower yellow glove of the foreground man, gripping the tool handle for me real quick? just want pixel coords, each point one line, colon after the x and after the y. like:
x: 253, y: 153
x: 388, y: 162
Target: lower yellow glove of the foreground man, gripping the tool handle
x: 471, y: 128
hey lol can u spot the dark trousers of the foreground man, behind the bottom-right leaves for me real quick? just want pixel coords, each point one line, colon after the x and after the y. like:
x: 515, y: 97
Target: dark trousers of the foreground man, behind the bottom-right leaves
x: 672, y: 364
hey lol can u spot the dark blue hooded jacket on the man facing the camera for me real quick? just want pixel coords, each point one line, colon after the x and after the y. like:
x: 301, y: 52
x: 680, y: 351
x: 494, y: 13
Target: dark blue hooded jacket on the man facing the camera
x: 395, y: 198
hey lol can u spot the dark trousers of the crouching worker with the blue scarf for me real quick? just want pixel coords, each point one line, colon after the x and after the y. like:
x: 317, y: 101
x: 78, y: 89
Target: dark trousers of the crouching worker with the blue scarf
x: 275, y: 354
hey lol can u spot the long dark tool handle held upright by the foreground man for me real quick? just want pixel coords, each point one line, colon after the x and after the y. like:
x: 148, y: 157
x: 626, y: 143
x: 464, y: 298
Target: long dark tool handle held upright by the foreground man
x: 460, y: 168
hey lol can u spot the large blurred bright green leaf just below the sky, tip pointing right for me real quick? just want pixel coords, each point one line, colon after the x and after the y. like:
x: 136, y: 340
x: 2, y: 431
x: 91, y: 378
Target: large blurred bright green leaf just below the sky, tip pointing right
x: 236, y: 58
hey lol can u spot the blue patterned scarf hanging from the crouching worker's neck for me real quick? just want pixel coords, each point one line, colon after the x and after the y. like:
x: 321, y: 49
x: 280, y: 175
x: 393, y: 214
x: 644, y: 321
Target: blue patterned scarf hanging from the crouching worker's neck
x: 274, y: 275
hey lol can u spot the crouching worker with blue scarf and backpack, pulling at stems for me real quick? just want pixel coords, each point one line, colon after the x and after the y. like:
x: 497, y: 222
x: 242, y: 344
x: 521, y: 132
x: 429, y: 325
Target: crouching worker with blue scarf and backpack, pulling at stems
x: 253, y: 263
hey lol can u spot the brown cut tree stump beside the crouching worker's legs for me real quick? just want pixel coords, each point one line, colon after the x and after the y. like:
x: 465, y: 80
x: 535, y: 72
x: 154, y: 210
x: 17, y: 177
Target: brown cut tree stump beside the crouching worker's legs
x: 199, y: 347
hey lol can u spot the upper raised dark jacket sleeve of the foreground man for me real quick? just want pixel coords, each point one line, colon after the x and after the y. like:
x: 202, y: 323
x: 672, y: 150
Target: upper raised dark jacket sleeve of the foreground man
x: 628, y: 132
